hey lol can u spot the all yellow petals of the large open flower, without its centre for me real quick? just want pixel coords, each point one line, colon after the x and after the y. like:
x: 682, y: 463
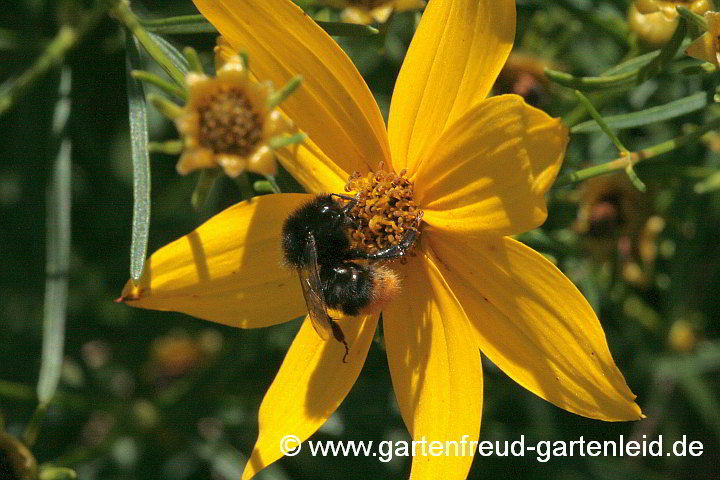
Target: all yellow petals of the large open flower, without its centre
x: 480, y: 167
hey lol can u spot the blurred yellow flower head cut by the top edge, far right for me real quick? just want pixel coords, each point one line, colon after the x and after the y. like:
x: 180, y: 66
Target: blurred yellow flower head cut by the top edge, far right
x: 654, y: 21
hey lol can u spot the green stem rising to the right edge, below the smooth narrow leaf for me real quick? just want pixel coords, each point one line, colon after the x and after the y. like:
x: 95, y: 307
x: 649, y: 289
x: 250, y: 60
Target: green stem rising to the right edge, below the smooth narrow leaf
x: 634, y: 158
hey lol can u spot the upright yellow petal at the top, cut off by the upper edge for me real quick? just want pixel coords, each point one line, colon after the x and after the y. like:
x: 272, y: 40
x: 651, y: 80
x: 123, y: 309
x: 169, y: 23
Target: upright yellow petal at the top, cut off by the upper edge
x: 455, y: 56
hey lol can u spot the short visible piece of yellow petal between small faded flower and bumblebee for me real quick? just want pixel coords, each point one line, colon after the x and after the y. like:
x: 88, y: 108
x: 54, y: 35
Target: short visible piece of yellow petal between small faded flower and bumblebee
x: 312, y: 168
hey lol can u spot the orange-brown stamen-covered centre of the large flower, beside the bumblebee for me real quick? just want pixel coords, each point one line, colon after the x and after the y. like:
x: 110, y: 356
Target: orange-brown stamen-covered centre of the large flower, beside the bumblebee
x: 384, y: 210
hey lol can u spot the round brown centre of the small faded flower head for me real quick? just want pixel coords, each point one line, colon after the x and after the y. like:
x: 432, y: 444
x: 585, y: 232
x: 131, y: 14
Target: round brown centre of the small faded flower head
x: 228, y: 122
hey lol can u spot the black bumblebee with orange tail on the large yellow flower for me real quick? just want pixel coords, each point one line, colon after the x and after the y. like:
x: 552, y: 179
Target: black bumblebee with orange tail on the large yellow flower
x: 333, y: 275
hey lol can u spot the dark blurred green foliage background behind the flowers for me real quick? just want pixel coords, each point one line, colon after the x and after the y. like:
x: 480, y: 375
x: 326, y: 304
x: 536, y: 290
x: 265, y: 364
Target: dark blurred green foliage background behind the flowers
x: 149, y: 394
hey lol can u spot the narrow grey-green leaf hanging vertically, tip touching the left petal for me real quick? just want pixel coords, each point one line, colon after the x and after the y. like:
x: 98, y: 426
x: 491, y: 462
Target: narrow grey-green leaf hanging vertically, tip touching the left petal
x: 141, y: 164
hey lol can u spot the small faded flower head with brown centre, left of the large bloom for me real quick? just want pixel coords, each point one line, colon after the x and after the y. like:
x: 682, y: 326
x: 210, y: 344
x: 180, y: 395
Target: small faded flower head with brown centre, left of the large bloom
x: 227, y: 121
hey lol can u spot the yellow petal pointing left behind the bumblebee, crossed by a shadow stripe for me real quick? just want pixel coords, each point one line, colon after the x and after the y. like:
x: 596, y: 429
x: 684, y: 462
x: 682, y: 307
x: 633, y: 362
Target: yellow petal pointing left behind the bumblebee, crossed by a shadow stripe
x: 229, y: 270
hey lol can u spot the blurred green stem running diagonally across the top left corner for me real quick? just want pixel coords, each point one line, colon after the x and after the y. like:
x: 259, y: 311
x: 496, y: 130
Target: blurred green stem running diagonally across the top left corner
x: 66, y: 38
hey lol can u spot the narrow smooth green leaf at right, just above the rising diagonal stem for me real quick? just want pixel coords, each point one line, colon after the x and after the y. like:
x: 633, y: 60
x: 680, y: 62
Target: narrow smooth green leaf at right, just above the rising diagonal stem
x: 660, y: 113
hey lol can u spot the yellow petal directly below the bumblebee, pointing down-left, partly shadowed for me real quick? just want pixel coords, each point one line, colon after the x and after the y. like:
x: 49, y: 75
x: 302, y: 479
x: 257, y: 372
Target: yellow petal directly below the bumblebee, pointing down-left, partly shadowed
x: 311, y: 384
